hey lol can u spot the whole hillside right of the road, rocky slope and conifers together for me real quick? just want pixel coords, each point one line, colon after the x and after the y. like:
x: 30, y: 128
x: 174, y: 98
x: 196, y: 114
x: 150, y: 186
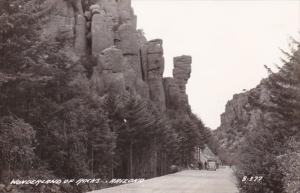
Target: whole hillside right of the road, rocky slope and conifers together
x: 260, y: 131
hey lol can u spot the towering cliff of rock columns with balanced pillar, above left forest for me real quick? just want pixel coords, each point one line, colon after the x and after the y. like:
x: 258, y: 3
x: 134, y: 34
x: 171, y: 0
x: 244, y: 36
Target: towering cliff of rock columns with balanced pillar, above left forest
x: 126, y: 61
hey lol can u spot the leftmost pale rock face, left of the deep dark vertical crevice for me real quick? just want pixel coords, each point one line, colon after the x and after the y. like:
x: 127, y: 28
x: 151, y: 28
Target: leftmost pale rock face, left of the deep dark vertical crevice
x: 65, y: 23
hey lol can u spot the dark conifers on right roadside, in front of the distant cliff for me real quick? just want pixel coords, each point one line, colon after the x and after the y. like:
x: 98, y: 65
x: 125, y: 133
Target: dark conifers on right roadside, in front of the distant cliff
x: 264, y: 148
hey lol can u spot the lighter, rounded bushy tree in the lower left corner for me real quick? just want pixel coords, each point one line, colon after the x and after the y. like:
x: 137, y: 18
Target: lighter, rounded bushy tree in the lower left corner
x: 17, y: 144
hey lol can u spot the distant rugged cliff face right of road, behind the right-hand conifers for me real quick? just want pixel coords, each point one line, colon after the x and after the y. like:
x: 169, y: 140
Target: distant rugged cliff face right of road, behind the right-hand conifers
x: 241, y: 116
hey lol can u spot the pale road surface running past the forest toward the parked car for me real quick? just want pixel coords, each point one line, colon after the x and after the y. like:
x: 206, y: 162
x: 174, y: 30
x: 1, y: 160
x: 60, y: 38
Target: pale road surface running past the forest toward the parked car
x: 188, y: 181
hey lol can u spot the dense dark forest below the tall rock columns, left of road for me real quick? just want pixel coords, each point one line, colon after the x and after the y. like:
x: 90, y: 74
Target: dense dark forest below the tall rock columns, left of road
x: 55, y: 124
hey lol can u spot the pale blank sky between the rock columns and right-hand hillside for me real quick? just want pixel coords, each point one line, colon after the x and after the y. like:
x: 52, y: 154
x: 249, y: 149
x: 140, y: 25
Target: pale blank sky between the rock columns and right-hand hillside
x: 229, y: 41
